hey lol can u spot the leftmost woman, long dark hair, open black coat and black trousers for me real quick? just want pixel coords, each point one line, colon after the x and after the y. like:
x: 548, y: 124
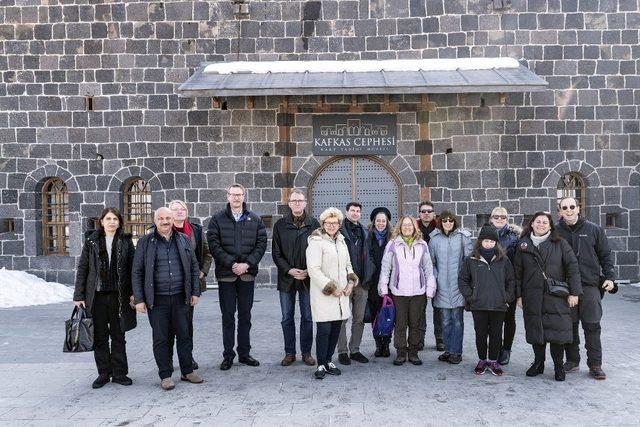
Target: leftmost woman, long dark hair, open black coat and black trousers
x: 103, y: 288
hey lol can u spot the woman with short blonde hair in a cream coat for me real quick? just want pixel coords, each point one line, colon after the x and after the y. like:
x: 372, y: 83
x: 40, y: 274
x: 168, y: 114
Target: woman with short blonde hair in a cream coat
x: 332, y: 281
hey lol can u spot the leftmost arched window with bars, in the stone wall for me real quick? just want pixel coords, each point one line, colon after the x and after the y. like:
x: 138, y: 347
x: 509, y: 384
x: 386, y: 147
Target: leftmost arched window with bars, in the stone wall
x: 55, y: 217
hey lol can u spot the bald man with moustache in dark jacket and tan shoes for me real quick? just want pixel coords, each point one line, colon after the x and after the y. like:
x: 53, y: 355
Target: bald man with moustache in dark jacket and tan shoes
x: 165, y: 284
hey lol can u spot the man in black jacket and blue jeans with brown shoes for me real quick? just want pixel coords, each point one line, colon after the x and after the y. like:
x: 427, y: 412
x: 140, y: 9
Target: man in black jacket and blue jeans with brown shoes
x: 290, y: 235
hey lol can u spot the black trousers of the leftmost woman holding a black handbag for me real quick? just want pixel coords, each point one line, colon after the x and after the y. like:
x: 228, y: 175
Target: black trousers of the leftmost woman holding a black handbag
x: 106, y: 324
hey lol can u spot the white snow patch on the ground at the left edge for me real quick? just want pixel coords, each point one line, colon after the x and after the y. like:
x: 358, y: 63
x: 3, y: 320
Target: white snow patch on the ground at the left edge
x: 19, y: 289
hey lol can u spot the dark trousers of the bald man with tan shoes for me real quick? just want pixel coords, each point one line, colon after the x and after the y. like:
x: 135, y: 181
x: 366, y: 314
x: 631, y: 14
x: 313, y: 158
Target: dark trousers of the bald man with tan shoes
x: 171, y: 310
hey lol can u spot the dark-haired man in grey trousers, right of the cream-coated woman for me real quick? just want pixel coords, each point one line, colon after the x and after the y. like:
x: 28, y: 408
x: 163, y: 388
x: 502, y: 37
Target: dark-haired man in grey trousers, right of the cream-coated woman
x: 355, y: 236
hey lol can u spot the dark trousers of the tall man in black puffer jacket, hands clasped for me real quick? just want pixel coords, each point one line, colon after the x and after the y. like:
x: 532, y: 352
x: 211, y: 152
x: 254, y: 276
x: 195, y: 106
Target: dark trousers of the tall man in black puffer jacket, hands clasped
x: 236, y: 295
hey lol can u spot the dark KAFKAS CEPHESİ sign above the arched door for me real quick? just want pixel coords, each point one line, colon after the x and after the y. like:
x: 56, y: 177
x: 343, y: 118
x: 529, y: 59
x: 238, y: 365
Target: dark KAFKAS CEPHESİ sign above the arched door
x: 354, y: 134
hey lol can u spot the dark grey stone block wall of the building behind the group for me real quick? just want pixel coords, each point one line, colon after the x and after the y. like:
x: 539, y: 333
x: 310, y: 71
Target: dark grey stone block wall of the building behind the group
x: 88, y: 96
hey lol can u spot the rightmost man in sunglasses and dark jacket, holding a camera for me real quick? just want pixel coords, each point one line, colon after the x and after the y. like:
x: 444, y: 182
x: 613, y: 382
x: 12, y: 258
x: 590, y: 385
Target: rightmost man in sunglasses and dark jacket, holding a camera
x: 591, y: 247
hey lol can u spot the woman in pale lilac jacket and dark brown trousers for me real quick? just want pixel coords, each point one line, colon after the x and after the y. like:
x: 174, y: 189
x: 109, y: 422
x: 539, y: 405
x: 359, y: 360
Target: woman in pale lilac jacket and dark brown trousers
x: 408, y: 273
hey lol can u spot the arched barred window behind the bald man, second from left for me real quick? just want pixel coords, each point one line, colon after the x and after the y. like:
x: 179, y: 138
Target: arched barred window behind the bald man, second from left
x: 137, y: 212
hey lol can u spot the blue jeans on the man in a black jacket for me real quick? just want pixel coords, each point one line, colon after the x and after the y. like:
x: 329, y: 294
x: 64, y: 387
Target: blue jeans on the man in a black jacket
x: 288, y: 307
